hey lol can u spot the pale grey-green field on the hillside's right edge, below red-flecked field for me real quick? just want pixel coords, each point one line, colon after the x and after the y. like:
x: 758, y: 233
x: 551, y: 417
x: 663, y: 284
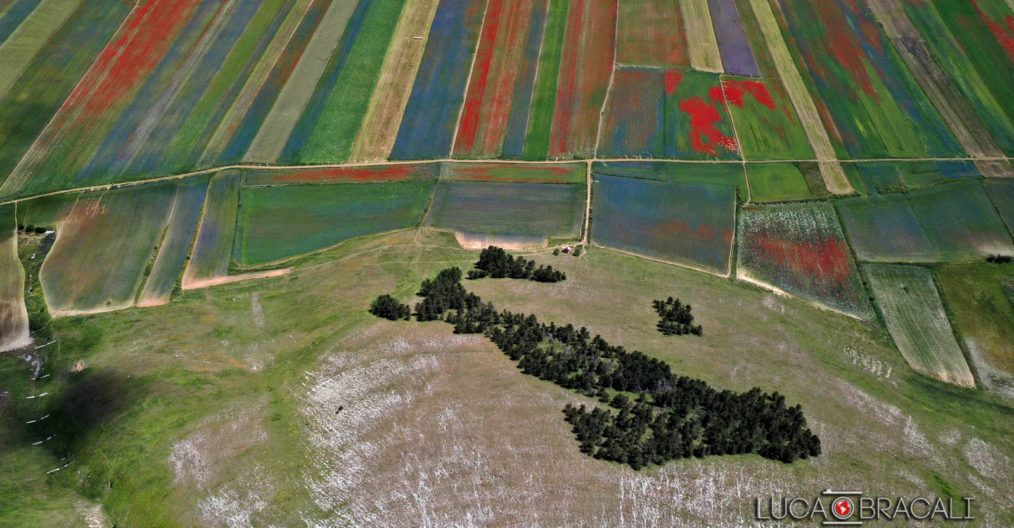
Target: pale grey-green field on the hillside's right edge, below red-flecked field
x: 911, y: 307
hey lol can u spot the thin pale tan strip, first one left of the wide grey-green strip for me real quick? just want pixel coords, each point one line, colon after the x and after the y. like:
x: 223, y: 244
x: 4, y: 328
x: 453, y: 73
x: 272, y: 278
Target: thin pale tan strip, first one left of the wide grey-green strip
x: 233, y: 120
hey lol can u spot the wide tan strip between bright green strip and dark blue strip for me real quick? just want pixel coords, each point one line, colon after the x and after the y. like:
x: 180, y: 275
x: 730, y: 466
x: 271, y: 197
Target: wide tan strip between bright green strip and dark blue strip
x: 384, y: 116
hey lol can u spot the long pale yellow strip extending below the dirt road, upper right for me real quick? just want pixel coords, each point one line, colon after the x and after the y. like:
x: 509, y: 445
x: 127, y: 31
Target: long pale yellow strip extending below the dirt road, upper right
x: 834, y: 176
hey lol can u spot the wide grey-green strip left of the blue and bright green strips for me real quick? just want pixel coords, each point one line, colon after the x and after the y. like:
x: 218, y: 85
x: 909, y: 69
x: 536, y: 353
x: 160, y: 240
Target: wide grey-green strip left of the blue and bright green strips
x: 284, y: 115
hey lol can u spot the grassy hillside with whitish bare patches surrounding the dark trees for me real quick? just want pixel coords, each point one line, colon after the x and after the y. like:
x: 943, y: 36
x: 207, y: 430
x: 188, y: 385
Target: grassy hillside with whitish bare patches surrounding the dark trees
x: 270, y: 401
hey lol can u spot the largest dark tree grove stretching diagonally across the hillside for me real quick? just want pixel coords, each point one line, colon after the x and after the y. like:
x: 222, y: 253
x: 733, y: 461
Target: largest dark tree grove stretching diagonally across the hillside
x: 670, y: 417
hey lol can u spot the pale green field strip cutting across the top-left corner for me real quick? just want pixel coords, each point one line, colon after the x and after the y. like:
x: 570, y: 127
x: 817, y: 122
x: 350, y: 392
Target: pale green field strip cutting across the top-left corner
x: 18, y: 51
